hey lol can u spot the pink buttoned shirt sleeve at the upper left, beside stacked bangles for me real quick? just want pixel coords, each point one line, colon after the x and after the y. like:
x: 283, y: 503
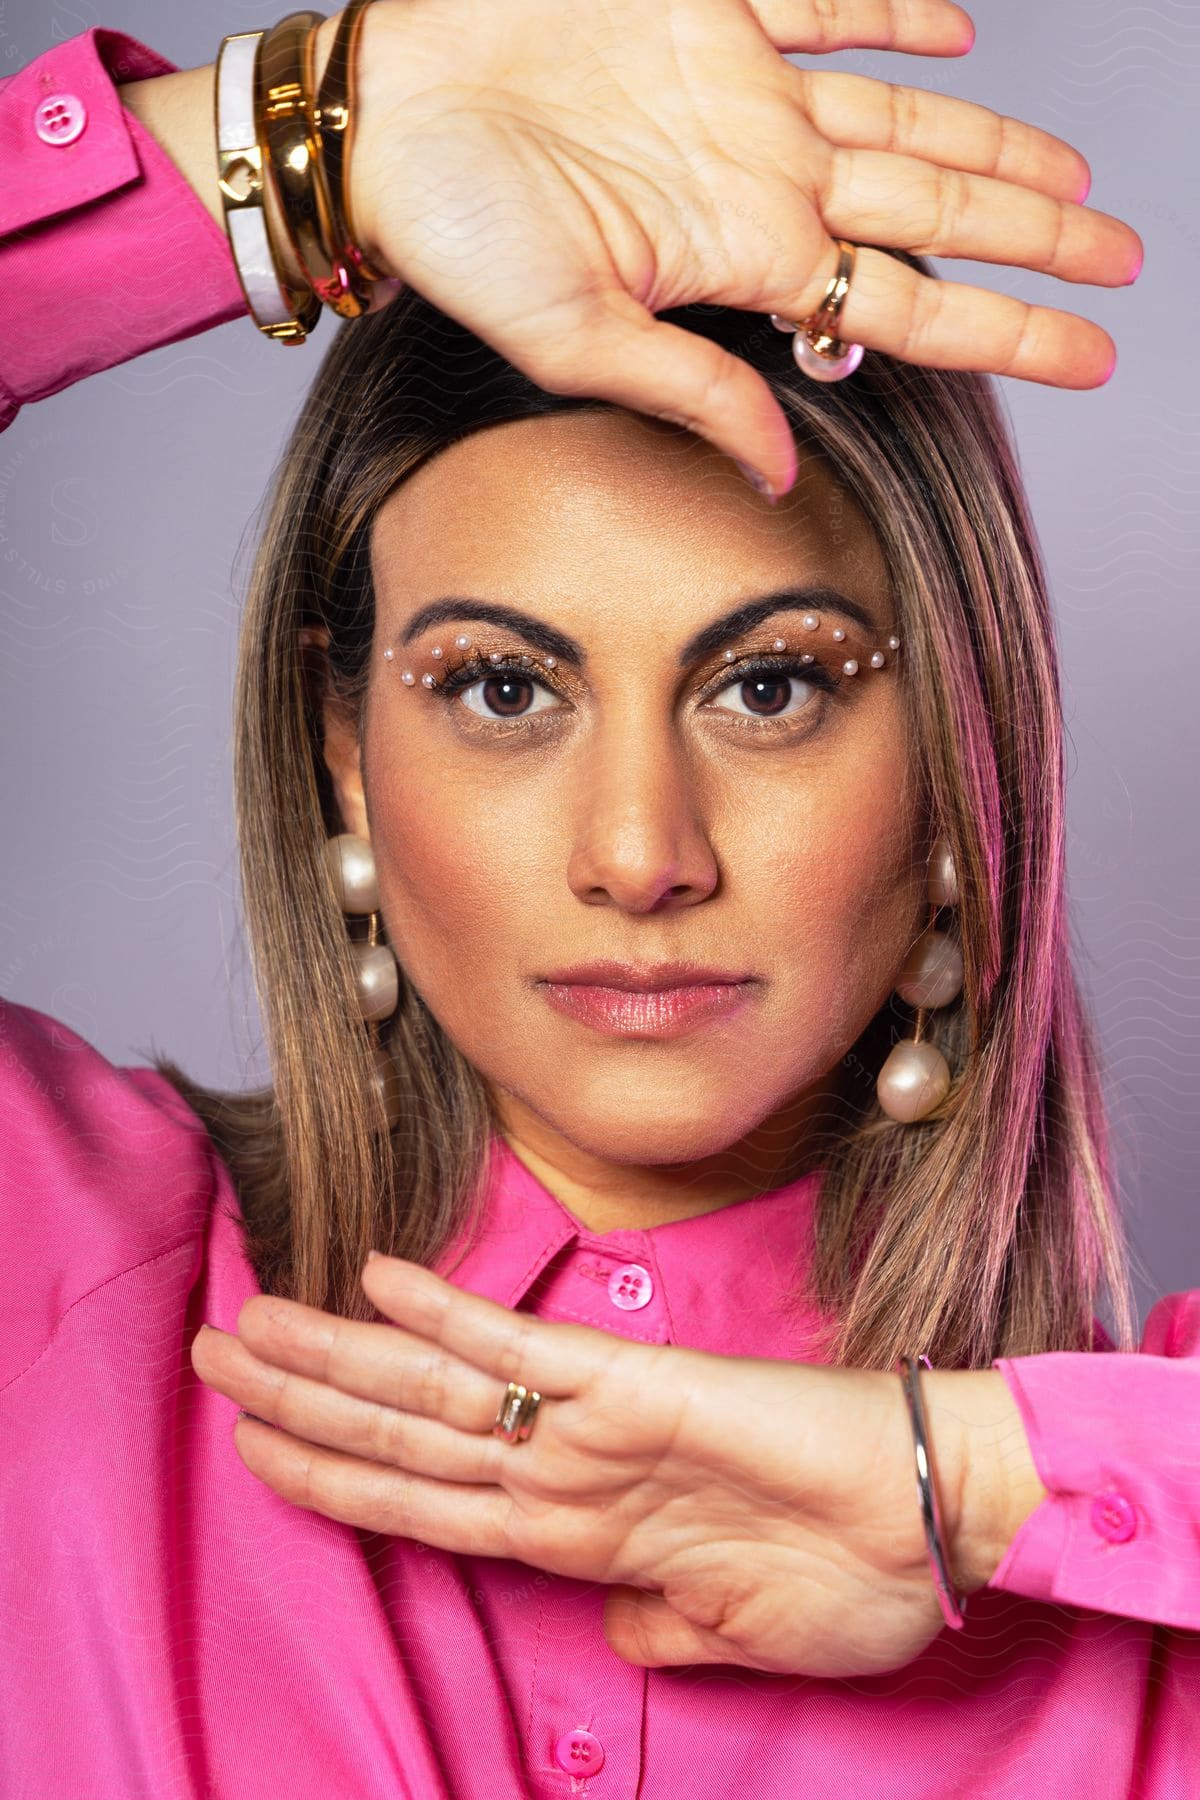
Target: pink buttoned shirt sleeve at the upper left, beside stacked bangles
x: 105, y: 249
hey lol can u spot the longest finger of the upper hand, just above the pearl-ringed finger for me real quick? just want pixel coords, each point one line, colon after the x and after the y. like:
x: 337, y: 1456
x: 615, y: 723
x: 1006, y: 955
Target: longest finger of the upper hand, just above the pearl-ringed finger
x: 875, y: 197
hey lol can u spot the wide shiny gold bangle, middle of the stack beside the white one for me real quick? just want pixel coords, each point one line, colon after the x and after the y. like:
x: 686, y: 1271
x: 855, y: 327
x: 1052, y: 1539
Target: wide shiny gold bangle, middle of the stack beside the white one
x: 285, y: 123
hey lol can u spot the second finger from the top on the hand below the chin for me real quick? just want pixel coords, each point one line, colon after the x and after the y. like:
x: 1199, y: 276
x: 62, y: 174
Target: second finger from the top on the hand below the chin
x: 370, y: 1362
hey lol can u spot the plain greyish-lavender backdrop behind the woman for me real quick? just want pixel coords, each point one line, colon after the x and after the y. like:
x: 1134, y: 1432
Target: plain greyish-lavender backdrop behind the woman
x: 125, y: 510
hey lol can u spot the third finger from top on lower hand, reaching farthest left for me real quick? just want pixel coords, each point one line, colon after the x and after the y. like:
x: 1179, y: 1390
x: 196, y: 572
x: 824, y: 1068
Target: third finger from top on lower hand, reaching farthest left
x: 327, y: 1416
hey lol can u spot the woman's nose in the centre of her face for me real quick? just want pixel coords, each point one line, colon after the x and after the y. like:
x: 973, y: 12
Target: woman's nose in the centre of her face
x: 640, y: 838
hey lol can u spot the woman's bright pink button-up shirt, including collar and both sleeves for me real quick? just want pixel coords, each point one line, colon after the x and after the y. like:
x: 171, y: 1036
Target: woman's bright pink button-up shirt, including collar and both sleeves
x: 174, y: 1628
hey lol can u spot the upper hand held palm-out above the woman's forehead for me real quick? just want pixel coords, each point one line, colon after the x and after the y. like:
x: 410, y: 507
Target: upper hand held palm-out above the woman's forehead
x: 553, y: 174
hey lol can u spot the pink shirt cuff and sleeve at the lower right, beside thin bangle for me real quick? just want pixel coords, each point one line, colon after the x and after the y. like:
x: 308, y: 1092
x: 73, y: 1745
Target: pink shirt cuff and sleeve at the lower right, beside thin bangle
x: 1116, y: 1441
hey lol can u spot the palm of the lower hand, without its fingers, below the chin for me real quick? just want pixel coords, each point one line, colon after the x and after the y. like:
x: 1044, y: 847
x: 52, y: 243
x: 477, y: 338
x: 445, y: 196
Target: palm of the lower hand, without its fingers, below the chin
x: 659, y: 1491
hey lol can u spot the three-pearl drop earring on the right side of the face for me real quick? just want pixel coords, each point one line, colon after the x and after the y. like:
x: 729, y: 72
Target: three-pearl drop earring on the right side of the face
x: 917, y: 1077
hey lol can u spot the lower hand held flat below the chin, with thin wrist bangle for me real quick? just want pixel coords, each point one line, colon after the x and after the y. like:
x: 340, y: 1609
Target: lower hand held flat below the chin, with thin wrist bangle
x: 742, y: 1511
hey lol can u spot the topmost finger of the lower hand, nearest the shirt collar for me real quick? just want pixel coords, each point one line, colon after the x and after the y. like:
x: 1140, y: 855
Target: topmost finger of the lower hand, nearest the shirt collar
x: 557, y: 1360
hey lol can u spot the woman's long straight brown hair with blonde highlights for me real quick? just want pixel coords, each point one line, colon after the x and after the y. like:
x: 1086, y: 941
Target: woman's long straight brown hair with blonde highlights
x: 990, y: 1228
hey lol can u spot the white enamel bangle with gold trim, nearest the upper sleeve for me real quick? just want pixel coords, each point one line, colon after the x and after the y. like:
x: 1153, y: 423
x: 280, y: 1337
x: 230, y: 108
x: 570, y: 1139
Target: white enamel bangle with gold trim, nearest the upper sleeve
x: 278, y: 310
